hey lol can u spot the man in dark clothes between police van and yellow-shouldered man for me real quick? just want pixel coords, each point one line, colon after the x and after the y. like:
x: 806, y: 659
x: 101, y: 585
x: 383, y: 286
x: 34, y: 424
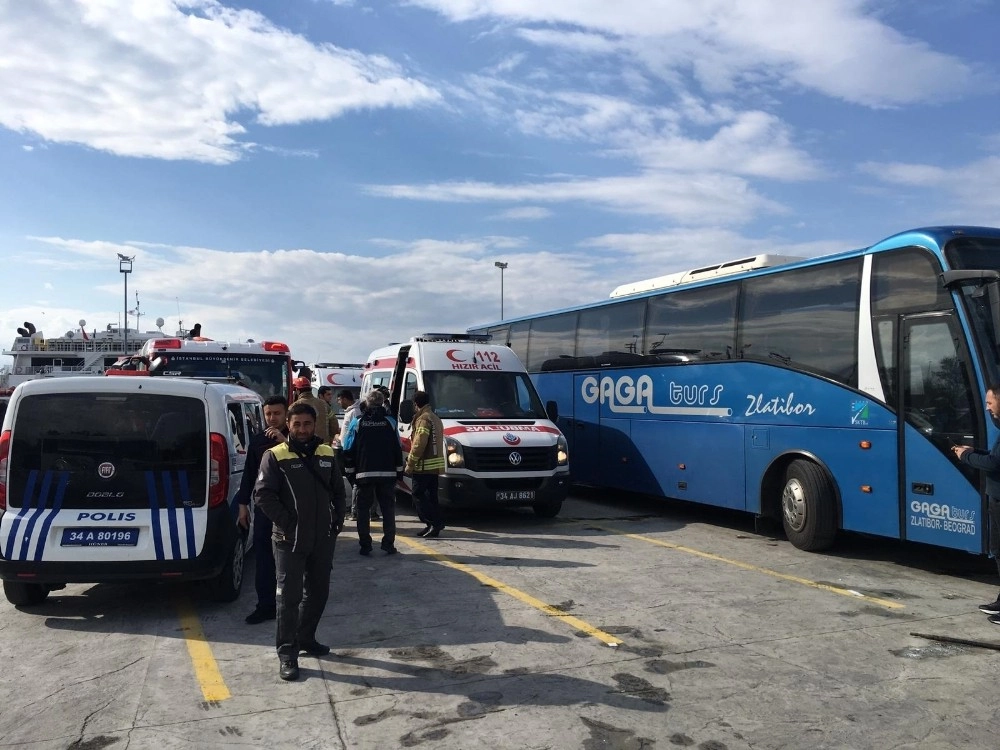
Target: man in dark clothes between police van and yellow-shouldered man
x: 275, y: 430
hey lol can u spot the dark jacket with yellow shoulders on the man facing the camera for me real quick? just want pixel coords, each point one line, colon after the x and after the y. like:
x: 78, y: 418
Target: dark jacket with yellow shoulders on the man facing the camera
x: 302, y: 494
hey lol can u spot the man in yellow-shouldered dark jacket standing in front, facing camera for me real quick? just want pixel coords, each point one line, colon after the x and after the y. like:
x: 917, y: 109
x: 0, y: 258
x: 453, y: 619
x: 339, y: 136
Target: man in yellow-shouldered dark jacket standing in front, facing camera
x: 300, y: 489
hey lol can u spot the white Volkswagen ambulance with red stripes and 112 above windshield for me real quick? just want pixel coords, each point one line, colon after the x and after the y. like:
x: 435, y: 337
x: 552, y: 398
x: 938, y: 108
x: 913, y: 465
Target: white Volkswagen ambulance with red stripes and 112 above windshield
x: 502, y: 448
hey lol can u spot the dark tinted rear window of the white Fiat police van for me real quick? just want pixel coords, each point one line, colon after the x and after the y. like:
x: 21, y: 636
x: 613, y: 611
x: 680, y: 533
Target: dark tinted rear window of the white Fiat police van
x: 96, y: 450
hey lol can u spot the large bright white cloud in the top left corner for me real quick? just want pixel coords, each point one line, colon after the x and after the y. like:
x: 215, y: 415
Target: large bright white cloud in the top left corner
x: 176, y: 79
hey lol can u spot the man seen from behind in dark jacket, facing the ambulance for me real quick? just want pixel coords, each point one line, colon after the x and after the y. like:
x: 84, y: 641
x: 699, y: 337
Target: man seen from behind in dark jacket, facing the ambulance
x: 374, y: 458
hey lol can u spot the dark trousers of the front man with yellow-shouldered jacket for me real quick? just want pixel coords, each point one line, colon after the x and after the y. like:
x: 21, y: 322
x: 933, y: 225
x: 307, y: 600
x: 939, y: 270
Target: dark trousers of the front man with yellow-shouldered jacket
x: 303, y: 586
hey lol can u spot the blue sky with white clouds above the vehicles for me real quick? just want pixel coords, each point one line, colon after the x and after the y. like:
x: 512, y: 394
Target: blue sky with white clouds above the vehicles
x: 338, y: 174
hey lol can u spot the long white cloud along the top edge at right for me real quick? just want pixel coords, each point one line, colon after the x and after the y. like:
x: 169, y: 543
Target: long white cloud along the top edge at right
x: 830, y: 46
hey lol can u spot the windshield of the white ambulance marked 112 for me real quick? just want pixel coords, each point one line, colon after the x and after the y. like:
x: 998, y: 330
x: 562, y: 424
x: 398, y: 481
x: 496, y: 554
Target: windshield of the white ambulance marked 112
x: 483, y: 395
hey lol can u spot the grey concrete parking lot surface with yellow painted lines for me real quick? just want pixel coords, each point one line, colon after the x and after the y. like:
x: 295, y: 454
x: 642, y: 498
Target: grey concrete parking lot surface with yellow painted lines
x: 624, y: 623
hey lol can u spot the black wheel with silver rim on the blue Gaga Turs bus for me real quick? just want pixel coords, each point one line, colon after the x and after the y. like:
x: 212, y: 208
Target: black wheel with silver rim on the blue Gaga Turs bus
x: 808, y: 506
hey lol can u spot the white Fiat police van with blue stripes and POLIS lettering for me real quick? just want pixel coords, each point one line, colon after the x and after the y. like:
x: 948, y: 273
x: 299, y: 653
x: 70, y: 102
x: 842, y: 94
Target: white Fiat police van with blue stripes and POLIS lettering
x: 116, y: 478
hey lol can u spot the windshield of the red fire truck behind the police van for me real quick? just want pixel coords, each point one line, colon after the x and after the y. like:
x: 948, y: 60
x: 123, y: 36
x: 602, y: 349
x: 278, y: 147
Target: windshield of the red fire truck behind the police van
x: 266, y: 374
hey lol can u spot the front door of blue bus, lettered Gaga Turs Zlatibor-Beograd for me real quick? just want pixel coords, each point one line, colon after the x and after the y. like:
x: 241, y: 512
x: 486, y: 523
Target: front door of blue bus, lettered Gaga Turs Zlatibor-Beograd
x: 938, y: 407
